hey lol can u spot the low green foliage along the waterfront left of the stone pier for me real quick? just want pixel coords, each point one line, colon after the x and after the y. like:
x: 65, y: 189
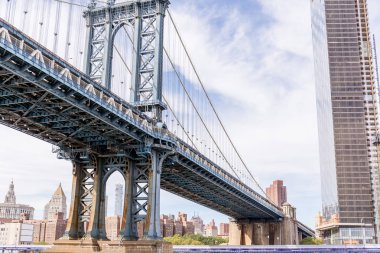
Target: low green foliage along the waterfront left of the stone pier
x: 195, y: 240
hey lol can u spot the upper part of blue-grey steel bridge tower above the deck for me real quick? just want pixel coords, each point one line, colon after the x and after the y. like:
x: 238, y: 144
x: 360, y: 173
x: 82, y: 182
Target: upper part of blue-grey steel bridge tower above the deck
x: 146, y: 17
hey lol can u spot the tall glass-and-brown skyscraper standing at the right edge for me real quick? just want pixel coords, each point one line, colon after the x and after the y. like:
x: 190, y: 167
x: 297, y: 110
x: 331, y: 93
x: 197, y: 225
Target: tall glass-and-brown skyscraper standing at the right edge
x: 347, y: 121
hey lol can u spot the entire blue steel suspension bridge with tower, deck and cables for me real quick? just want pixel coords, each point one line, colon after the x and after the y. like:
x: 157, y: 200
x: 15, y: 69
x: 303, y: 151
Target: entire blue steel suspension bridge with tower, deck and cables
x: 127, y: 98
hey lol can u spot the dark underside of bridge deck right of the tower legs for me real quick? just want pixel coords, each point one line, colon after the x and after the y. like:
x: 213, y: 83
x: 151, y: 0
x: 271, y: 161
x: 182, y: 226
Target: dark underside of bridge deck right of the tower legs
x: 205, y: 188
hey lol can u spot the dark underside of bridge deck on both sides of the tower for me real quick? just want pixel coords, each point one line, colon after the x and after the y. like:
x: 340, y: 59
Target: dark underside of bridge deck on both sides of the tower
x: 58, y: 114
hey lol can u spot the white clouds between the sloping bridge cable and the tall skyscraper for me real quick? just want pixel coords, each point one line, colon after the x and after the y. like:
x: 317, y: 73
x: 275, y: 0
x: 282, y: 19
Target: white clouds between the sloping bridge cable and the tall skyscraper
x: 266, y: 72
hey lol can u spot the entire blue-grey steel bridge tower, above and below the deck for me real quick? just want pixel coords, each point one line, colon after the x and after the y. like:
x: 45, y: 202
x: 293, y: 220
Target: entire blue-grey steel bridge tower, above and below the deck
x: 140, y: 164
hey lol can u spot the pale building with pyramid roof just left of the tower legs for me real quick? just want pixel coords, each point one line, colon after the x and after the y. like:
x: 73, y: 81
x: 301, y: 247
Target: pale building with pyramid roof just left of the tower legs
x: 56, y: 204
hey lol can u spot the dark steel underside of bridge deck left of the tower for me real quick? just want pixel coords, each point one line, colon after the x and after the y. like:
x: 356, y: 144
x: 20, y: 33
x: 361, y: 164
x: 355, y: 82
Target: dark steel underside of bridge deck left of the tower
x: 42, y: 106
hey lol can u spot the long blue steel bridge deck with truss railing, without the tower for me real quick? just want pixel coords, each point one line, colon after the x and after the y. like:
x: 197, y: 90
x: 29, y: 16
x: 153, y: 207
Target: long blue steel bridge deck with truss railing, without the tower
x: 45, y: 97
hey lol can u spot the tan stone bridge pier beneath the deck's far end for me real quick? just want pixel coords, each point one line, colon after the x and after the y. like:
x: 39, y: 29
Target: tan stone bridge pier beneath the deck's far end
x: 266, y: 232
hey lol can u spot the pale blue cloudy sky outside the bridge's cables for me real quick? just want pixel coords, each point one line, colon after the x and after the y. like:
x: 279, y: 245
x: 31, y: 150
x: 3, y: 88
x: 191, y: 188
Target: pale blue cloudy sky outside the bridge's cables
x: 257, y: 57
